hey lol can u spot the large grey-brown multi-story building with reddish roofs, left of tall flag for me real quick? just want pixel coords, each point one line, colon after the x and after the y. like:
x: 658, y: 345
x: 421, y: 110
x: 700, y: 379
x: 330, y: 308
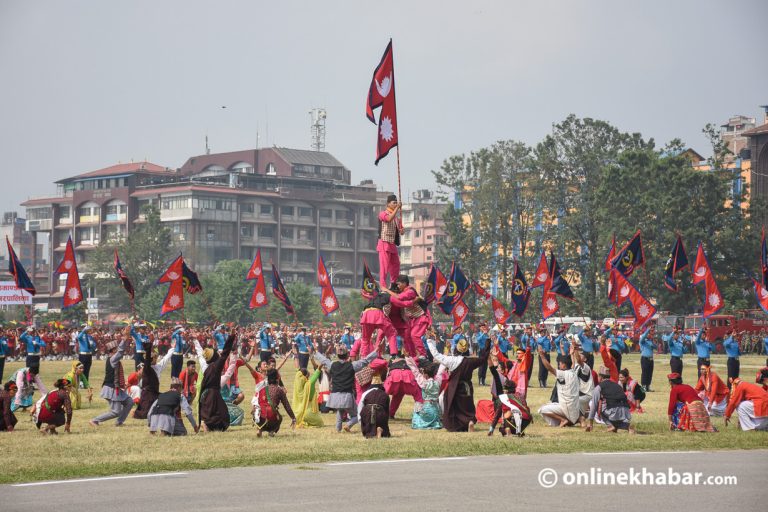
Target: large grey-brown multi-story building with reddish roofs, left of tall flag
x: 292, y: 204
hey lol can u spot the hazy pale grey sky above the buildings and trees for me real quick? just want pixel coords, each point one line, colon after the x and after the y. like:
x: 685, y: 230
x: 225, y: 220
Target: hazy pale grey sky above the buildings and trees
x: 89, y: 84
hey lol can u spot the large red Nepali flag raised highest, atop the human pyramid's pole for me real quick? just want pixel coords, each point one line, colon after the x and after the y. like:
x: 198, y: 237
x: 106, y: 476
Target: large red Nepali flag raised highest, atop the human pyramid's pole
x: 382, y: 94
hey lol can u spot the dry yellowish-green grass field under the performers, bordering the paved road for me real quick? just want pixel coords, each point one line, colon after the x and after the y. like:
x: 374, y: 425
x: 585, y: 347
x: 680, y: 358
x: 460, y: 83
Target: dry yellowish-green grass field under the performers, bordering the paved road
x: 107, y: 450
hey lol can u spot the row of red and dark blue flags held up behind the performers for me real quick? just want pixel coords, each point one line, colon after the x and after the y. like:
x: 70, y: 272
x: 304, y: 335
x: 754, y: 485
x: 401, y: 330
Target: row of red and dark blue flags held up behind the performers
x: 447, y: 293
